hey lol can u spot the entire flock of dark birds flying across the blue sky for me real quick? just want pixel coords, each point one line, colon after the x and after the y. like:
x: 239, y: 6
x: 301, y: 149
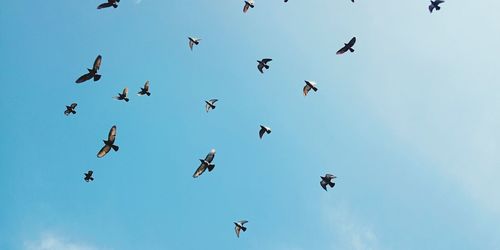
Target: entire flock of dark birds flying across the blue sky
x: 206, y: 163
